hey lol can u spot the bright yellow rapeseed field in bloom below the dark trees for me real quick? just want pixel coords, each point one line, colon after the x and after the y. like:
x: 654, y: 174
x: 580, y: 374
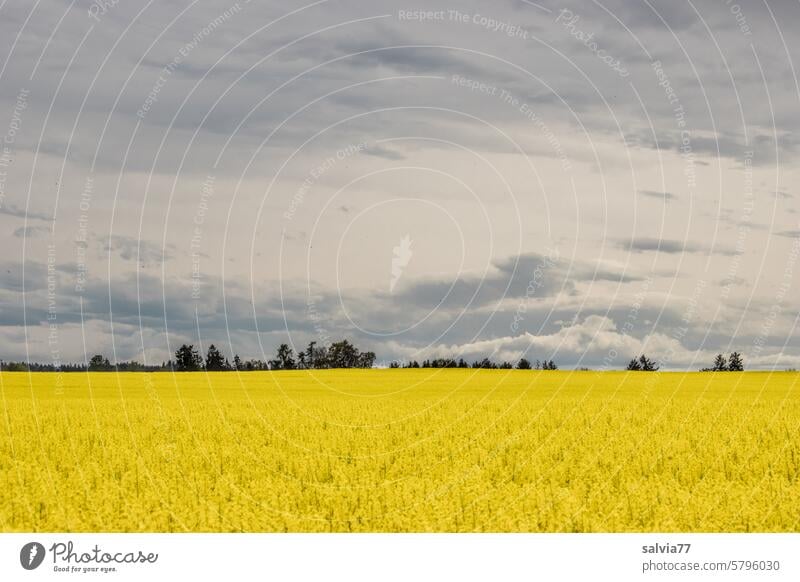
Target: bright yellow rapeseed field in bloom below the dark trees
x: 400, y: 450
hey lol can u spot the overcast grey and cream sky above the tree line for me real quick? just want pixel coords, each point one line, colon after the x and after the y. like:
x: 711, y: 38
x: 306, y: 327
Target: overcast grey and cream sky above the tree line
x: 567, y: 180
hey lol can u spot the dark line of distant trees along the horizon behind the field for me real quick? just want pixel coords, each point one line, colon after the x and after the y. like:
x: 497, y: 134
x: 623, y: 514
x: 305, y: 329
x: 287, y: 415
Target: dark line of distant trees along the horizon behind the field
x: 337, y: 355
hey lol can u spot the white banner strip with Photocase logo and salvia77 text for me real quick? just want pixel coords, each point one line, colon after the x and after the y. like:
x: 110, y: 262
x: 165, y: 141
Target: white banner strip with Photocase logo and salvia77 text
x: 401, y: 557
